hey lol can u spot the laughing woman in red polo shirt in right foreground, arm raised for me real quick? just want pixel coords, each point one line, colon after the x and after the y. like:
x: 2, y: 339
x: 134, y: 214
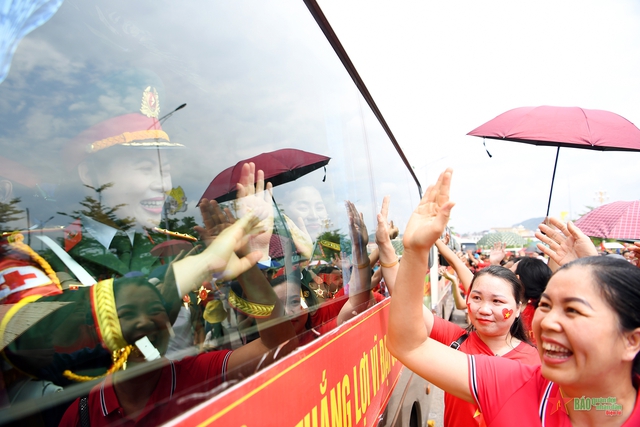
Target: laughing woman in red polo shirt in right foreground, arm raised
x: 587, y: 326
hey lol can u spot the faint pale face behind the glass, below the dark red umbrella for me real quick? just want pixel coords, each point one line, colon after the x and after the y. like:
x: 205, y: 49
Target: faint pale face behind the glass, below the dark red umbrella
x: 306, y: 203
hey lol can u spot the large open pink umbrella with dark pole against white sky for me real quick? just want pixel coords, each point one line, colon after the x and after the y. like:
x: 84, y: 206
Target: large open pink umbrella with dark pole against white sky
x: 563, y: 127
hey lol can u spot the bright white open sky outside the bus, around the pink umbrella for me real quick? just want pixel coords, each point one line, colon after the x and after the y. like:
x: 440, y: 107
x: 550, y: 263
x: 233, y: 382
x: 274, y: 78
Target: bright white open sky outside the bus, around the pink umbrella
x: 437, y: 70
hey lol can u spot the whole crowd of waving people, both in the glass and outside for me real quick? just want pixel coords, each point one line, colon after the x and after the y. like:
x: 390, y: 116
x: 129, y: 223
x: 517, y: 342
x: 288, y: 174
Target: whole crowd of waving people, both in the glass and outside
x: 264, y: 278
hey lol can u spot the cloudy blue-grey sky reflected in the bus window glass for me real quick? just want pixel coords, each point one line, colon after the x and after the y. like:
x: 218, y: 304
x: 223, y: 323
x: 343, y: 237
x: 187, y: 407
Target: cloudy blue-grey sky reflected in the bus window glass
x: 255, y: 76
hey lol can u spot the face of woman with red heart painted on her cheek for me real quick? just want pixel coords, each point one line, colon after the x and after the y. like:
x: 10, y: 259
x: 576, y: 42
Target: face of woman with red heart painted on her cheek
x: 492, y: 307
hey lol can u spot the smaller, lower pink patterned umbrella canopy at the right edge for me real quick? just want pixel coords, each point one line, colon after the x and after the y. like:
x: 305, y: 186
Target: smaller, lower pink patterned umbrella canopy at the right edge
x: 617, y: 220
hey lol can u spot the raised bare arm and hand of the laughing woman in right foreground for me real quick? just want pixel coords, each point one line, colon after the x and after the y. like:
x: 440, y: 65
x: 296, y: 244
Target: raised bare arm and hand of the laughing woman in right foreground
x: 407, y: 339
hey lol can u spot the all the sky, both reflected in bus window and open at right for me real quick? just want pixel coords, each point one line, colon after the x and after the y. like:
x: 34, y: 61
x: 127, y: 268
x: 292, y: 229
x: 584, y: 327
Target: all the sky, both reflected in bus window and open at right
x: 261, y: 76
